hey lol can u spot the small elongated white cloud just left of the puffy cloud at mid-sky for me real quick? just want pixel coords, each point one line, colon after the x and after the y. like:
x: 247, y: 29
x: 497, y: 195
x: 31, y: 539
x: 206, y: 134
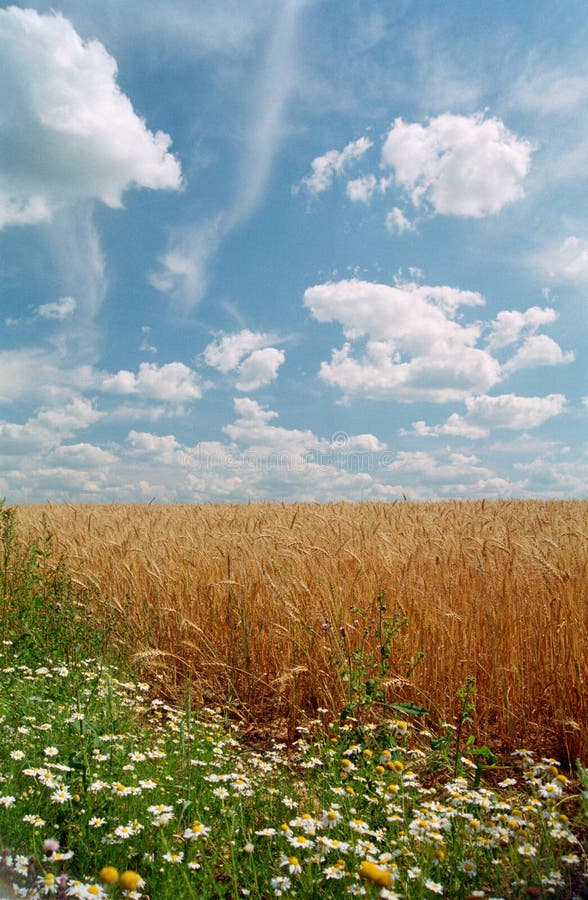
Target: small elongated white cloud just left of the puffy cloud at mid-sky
x: 173, y: 383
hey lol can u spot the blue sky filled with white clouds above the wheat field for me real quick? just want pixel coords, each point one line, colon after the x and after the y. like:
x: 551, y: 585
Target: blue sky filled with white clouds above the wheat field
x: 293, y: 250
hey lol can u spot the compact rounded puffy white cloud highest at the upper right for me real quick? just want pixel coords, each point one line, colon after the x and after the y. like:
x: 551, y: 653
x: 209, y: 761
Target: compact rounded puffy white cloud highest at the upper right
x: 461, y: 165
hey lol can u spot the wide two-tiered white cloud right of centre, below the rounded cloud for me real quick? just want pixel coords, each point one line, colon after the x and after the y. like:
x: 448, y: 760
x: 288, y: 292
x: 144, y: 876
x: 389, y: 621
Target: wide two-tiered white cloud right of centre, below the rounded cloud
x: 416, y: 350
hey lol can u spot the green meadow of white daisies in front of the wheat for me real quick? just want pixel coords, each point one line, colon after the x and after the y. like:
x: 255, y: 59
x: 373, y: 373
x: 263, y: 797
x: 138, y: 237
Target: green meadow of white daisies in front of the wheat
x: 108, y: 789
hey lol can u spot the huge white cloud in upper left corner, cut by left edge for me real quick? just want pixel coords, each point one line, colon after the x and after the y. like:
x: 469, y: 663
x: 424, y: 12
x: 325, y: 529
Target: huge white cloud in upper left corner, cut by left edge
x: 60, y: 94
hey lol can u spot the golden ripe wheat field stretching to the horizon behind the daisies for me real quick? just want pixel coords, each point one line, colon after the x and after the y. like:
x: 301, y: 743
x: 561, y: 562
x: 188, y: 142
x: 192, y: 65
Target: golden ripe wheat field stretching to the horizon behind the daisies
x: 239, y: 597
